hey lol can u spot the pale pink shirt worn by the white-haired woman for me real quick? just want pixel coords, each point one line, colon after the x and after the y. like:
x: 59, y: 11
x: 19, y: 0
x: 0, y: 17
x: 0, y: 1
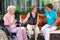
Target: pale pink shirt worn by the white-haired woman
x: 9, y: 19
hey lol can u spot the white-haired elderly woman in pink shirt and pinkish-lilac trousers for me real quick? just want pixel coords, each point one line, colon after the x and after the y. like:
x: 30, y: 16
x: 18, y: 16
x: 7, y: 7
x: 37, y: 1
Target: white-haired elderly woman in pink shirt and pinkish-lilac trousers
x: 9, y: 19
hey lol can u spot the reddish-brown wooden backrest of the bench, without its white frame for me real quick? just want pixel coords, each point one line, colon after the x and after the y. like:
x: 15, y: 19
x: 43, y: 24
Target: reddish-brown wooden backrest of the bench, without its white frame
x: 42, y: 21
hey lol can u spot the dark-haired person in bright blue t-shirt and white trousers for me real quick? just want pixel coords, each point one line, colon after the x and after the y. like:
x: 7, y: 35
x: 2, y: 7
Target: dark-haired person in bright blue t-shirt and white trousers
x: 51, y: 25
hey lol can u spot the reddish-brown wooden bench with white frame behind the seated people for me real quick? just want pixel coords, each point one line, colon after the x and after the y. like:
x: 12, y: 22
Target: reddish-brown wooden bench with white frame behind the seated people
x: 42, y: 22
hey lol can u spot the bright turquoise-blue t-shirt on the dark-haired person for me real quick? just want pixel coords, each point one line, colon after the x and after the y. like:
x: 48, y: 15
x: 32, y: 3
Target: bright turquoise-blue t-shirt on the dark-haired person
x: 51, y: 17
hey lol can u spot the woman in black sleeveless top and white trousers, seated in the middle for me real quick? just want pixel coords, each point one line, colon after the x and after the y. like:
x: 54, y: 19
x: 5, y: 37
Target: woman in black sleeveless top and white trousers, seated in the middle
x: 32, y: 20
